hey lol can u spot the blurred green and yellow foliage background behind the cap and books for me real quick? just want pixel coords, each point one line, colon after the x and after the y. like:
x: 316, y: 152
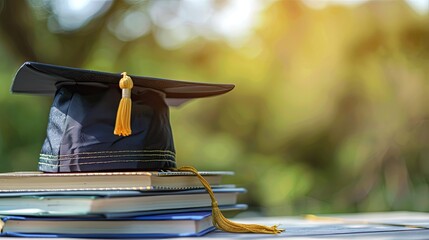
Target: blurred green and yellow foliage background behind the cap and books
x: 329, y: 112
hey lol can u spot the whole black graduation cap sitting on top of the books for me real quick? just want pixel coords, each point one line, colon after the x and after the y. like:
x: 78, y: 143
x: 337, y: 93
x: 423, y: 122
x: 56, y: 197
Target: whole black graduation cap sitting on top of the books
x: 82, y: 117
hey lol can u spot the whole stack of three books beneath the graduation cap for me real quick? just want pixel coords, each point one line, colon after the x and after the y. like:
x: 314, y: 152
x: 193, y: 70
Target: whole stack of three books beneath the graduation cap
x: 111, y: 204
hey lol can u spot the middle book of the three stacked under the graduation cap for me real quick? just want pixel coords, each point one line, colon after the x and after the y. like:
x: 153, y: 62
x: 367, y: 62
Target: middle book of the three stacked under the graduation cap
x: 112, y: 202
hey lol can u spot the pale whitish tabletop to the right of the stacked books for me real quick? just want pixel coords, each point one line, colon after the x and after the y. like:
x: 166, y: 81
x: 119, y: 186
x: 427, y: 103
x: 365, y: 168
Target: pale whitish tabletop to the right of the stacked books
x: 388, y: 225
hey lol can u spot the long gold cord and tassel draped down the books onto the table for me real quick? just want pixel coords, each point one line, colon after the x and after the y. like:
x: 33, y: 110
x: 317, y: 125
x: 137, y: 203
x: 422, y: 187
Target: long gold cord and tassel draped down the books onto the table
x: 222, y: 223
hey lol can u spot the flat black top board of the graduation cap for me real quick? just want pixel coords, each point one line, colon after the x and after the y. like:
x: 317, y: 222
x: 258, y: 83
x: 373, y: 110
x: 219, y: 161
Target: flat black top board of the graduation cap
x: 42, y: 79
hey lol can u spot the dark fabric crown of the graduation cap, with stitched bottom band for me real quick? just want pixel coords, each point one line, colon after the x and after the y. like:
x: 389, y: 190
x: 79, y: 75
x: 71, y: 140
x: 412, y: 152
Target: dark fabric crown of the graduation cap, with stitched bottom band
x: 79, y: 135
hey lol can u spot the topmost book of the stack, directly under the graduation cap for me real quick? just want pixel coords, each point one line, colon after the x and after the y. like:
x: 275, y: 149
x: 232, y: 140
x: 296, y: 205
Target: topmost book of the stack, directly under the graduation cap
x: 38, y: 181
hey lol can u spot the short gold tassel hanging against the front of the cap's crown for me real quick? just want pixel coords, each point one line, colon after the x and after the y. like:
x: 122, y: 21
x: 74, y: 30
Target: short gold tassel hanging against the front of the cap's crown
x: 123, y: 117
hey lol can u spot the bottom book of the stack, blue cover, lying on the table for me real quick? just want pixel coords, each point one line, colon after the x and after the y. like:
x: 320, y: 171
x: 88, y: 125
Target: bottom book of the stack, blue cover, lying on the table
x: 164, y: 225
